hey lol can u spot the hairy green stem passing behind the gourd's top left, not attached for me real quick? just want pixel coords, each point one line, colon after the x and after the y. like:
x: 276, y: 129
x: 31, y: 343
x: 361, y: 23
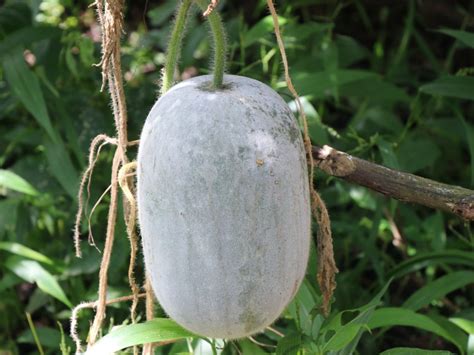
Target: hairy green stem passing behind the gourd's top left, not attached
x: 174, y: 45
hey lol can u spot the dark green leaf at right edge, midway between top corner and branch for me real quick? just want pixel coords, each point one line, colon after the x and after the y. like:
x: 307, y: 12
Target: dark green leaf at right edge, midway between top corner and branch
x: 460, y: 87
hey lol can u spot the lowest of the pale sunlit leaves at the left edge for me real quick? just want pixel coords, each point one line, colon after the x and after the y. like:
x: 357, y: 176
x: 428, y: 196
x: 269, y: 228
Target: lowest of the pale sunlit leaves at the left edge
x: 31, y: 271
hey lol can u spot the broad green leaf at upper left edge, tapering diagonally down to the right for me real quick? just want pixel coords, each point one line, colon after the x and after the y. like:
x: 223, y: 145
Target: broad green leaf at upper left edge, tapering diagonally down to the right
x: 25, y: 85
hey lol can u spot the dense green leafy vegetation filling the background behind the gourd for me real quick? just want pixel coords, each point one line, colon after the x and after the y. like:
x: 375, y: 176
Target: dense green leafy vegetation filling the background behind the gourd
x: 388, y: 81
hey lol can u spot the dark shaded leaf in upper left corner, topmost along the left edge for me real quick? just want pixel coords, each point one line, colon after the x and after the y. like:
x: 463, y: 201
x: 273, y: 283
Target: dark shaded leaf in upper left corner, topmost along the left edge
x: 25, y: 37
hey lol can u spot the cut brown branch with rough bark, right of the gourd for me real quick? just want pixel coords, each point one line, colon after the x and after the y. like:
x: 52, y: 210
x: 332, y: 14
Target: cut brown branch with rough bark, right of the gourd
x: 396, y: 184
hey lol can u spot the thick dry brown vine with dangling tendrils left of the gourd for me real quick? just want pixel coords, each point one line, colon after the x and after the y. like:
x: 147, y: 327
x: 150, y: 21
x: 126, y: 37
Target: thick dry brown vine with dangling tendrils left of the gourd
x: 110, y: 15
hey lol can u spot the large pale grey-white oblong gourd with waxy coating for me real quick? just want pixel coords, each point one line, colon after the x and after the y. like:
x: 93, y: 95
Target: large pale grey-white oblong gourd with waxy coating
x: 223, y: 205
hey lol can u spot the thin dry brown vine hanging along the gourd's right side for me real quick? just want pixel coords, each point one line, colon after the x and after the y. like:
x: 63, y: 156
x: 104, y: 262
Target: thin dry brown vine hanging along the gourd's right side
x: 327, y: 268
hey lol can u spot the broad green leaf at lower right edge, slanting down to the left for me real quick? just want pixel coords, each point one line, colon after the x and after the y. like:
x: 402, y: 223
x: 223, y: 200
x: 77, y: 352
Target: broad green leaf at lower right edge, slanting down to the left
x: 438, y: 289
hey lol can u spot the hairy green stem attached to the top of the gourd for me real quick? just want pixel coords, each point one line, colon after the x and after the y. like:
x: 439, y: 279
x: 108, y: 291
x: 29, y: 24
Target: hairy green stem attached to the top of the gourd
x: 220, y: 43
